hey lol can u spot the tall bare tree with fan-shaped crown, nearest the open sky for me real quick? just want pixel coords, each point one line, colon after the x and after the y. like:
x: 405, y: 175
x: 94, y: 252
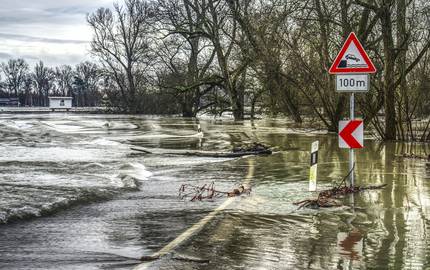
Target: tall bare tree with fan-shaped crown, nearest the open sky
x: 121, y: 43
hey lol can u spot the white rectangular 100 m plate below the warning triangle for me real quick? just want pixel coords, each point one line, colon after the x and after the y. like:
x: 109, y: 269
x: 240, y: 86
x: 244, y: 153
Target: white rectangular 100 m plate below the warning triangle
x: 352, y: 82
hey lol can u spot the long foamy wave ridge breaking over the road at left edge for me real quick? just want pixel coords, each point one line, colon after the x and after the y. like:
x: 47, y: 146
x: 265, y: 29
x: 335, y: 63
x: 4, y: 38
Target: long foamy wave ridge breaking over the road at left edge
x: 47, y: 193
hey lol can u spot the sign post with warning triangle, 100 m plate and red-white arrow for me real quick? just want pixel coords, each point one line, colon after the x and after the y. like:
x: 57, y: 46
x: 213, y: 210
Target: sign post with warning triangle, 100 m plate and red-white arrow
x: 352, y: 67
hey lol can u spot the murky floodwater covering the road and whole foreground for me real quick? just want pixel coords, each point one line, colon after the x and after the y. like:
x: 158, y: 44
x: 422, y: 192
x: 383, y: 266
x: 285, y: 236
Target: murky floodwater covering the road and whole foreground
x: 74, y: 195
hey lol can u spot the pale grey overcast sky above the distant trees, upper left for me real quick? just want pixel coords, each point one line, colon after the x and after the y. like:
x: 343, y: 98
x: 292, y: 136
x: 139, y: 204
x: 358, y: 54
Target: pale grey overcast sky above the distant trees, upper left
x: 54, y: 31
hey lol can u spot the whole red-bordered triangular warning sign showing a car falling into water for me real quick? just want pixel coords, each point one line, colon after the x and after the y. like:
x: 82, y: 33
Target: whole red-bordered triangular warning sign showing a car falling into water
x: 352, y: 58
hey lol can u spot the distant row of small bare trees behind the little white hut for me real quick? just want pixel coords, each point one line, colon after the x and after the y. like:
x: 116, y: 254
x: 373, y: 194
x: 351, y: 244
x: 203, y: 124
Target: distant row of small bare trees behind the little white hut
x: 33, y: 86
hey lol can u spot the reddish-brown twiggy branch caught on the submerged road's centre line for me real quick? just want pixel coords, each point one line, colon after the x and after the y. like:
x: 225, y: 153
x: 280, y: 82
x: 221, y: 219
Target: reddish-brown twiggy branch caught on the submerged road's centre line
x: 208, y: 192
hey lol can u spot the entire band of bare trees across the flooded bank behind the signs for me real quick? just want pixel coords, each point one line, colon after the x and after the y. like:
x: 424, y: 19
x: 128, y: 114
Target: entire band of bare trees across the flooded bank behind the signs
x: 247, y: 57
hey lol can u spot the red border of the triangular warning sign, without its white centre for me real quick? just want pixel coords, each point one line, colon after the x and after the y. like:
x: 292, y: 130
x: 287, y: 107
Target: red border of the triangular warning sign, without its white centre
x: 352, y: 38
